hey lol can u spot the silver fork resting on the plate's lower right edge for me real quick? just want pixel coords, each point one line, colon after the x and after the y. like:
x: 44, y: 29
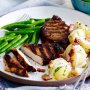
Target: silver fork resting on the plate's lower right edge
x: 85, y: 73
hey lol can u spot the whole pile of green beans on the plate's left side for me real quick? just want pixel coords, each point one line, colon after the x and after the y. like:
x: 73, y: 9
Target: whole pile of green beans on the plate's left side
x: 18, y: 33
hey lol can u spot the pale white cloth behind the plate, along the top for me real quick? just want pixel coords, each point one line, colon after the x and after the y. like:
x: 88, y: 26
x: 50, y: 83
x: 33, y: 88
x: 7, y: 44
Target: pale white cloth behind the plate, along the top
x: 7, y: 6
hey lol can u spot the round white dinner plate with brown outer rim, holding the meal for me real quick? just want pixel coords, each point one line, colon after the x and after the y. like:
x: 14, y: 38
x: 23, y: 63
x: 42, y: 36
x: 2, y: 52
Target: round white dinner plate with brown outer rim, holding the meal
x: 69, y: 16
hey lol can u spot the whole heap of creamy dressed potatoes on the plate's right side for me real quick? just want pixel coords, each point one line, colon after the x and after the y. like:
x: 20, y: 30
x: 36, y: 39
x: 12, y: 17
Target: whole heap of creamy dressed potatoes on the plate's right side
x: 75, y: 56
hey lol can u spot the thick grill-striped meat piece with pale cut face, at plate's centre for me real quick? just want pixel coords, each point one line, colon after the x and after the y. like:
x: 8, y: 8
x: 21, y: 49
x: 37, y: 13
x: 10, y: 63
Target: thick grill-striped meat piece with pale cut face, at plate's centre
x: 42, y: 53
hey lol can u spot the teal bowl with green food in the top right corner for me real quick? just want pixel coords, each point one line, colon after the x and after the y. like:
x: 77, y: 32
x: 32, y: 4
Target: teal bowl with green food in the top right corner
x: 82, y: 5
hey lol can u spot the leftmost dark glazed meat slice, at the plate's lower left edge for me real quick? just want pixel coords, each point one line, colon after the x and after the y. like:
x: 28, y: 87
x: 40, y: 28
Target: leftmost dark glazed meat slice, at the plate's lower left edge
x: 14, y: 66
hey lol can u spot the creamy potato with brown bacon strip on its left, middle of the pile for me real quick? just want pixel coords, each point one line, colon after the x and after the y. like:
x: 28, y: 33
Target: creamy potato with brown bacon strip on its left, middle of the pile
x: 75, y: 54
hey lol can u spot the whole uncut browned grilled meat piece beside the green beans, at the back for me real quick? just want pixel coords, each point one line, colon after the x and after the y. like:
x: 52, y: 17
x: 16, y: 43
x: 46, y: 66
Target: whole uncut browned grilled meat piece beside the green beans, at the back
x: 55, y: 30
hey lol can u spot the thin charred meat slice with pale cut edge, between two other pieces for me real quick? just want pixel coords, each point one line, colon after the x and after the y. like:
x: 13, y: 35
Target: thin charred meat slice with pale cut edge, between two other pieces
x: 23, y: 60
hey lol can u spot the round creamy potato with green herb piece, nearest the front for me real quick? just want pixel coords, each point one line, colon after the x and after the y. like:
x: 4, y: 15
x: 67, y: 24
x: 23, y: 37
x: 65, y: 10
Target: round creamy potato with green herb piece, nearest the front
x: 59, y: 69
